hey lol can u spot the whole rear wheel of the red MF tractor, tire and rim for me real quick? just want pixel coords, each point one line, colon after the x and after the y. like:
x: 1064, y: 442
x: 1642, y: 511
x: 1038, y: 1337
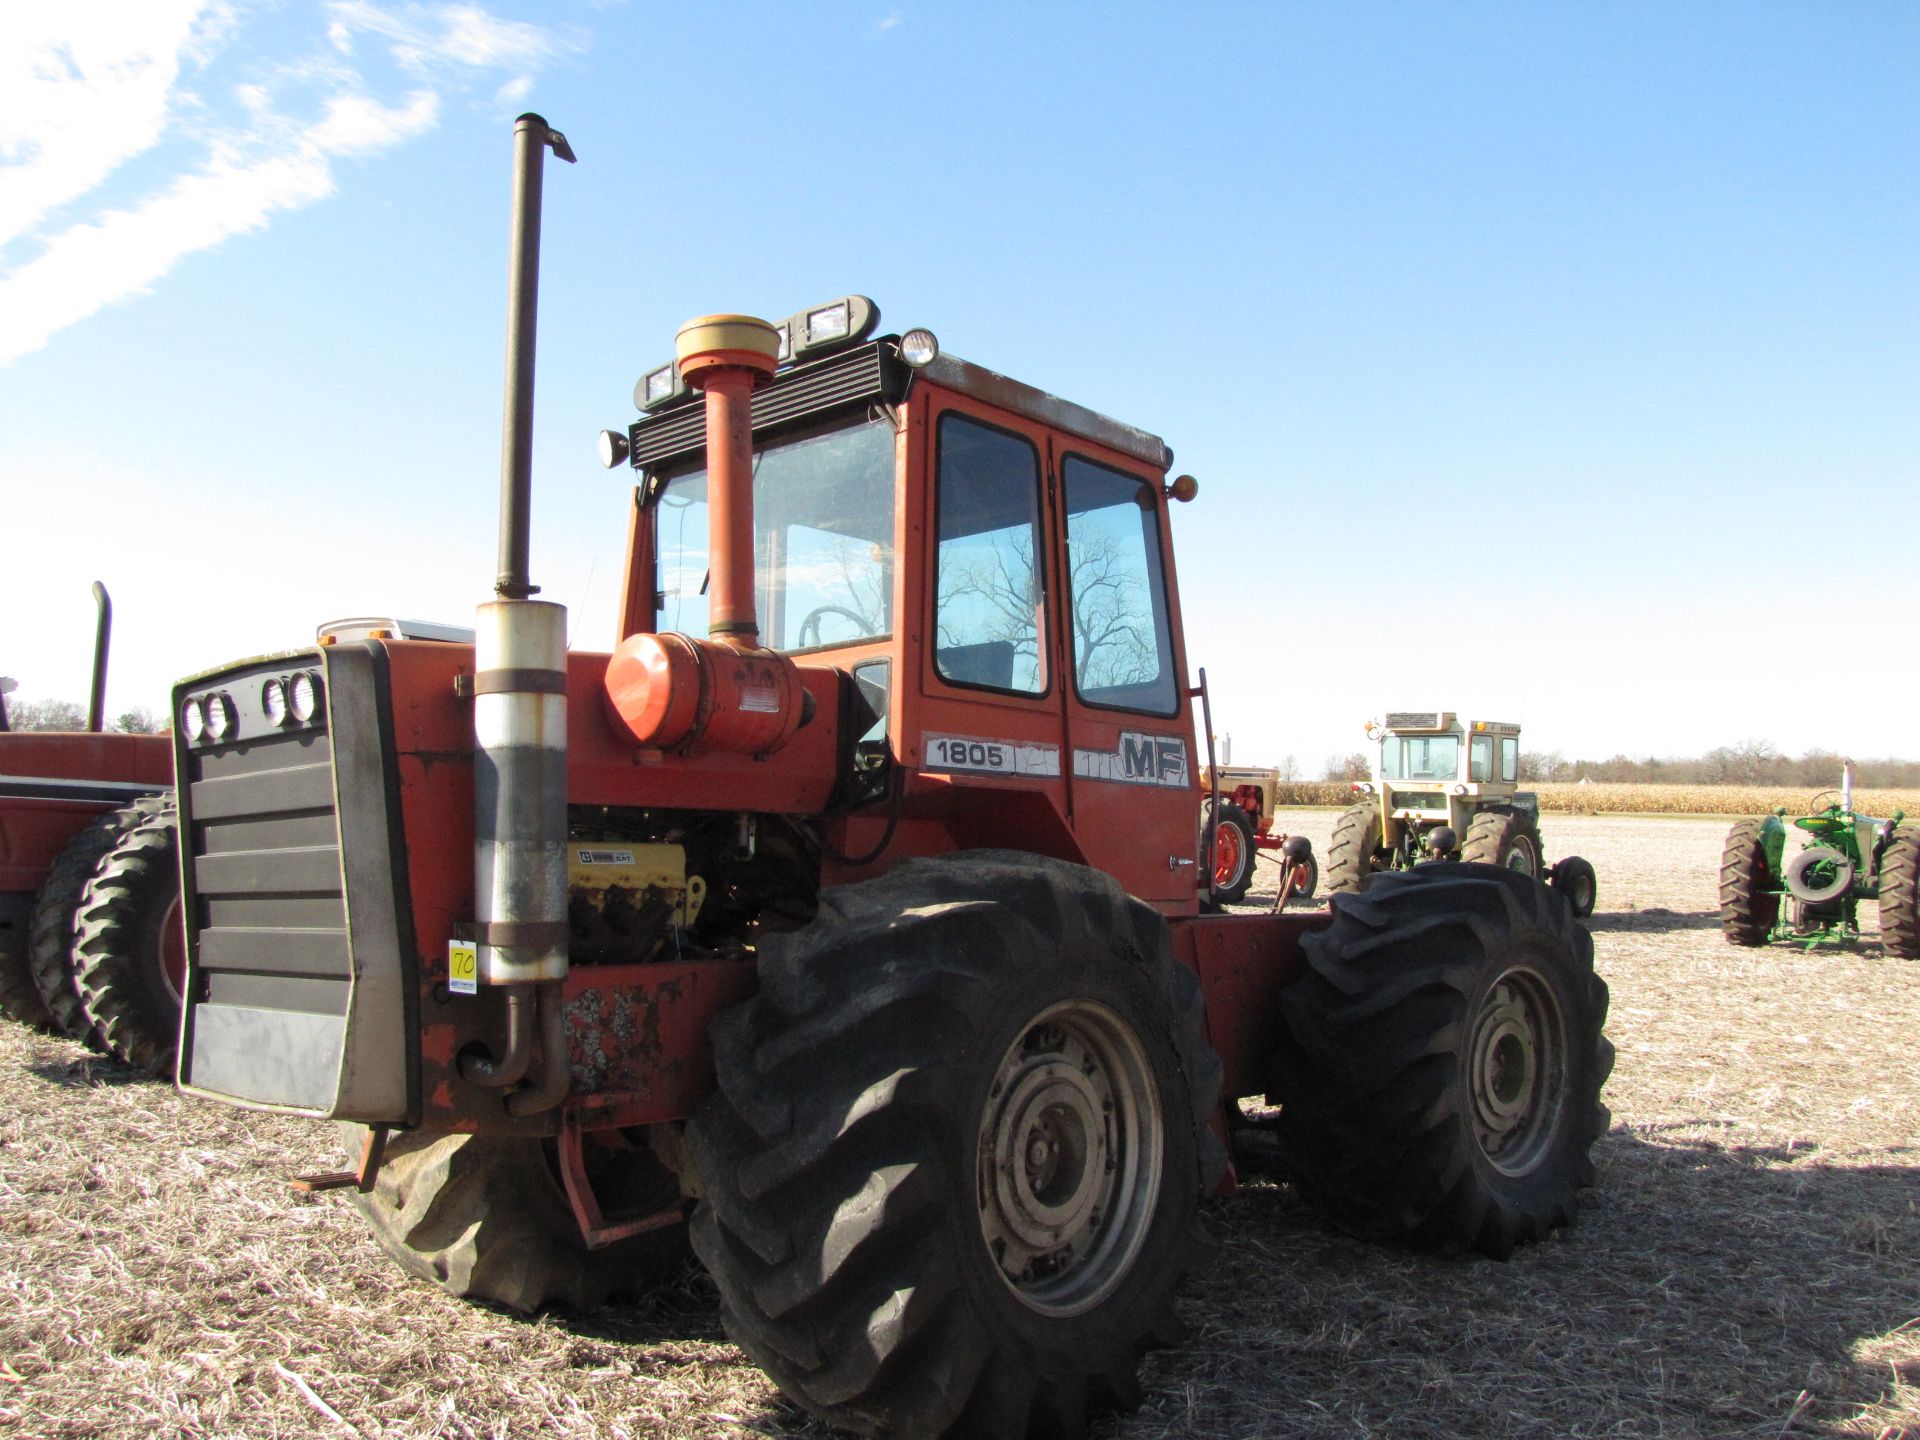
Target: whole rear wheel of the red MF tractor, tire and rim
x: 1443, y: 1061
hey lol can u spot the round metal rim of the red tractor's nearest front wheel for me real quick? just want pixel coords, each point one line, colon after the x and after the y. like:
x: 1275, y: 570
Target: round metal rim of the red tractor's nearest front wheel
x: 1070, y: 1159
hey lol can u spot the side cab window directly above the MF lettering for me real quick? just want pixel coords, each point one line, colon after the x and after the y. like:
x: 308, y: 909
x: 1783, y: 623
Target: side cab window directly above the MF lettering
x: 1122, y: 644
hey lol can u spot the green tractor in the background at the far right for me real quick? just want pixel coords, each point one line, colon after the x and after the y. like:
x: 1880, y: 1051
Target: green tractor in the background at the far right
x: 1815, y: 894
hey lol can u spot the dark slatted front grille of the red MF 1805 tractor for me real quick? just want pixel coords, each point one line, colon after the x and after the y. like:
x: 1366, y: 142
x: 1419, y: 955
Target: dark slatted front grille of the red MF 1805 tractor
x: 302, y: 994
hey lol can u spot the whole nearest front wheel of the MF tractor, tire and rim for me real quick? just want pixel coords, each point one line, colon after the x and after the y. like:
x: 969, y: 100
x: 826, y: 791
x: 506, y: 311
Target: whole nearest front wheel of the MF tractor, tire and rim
x: 955, y: 1163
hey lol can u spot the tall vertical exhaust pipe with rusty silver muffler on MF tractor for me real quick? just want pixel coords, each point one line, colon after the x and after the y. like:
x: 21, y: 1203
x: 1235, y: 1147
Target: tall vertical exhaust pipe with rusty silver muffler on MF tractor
x: 521, y: 698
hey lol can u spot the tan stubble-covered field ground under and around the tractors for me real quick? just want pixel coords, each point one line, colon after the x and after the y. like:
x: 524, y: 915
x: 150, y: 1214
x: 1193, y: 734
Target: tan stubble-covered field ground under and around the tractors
x: 1746, y: 1266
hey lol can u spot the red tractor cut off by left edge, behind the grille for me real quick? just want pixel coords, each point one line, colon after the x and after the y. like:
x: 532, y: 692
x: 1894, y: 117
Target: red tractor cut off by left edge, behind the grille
x: 91, y: 940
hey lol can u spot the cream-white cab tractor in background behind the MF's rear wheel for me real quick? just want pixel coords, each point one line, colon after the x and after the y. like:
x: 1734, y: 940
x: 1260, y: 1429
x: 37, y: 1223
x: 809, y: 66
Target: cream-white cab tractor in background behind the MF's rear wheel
x: 1447, y: 790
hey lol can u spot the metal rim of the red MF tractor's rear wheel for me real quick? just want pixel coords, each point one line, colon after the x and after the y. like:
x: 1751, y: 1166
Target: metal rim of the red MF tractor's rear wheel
x: 1518, y: 1068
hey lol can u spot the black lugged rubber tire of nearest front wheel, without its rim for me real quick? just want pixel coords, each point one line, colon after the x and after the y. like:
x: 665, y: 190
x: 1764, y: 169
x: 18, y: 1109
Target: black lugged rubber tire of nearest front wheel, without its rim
x: 827, y: 1155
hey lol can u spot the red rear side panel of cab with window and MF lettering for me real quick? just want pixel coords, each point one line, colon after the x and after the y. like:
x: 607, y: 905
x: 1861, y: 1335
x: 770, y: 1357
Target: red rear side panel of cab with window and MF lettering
x: 1130, y: 732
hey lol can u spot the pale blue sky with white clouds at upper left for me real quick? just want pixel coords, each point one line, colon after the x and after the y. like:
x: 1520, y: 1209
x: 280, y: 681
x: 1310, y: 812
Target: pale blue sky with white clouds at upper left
x: 1545, y: 362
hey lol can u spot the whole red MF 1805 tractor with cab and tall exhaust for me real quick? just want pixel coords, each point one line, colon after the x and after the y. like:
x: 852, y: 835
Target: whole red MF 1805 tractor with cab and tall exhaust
x: 846, y: 917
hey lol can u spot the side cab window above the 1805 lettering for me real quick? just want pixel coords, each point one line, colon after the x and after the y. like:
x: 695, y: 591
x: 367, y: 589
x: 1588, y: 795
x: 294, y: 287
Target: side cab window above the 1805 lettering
x: 990, y: 587
